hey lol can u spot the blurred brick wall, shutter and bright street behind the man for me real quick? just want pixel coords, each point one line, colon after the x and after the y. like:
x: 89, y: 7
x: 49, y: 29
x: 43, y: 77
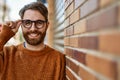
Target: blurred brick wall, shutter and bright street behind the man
x: 86, y: 31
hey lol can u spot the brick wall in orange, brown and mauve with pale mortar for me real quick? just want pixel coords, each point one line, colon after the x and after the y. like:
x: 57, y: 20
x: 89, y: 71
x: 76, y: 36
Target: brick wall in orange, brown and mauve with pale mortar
x: 92, y: 39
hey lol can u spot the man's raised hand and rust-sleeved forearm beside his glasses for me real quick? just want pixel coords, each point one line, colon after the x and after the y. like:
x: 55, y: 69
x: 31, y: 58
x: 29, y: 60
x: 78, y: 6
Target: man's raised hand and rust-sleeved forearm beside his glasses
x: 7, y: 31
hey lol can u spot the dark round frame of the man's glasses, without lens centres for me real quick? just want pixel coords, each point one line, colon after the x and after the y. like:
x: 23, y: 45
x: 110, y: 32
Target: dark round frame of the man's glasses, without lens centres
x: 35, y: 21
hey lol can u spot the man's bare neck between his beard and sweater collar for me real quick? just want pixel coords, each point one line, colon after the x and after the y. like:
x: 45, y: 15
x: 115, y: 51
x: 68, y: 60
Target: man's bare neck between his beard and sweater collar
x: 38, y: 47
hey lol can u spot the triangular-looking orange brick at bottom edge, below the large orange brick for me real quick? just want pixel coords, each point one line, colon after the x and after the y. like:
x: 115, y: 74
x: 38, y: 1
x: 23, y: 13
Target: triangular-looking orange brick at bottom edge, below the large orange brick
x: 85, y: 75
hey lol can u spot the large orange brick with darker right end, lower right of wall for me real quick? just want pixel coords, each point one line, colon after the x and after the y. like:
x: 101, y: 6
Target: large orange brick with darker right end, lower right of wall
x: 103, y: 66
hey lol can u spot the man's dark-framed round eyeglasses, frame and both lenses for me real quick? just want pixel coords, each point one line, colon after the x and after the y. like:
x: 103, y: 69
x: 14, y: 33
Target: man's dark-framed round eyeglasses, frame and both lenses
x: 28, y: 23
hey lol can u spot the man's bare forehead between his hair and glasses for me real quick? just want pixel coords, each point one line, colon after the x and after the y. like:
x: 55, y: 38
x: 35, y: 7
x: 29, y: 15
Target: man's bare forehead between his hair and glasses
x: 33, y: 15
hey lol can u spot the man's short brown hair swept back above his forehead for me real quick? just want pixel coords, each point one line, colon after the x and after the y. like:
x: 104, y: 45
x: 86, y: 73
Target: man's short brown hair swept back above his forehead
x: 35, y: 6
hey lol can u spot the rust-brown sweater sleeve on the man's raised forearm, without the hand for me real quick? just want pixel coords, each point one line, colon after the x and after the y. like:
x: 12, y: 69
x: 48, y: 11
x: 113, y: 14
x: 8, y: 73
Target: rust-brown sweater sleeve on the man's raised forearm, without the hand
x: 5, y: 34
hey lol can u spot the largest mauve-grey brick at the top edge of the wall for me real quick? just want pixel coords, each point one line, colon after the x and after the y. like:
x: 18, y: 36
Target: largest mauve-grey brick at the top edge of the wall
x: 89, y: 7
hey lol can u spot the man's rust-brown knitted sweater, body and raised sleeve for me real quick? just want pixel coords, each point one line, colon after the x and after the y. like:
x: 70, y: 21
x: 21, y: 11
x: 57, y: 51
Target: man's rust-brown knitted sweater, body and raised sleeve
x: 19, y: 63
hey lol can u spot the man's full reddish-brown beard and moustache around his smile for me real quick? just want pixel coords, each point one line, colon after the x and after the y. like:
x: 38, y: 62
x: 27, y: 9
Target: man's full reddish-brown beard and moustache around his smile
x: 34, y: 41
